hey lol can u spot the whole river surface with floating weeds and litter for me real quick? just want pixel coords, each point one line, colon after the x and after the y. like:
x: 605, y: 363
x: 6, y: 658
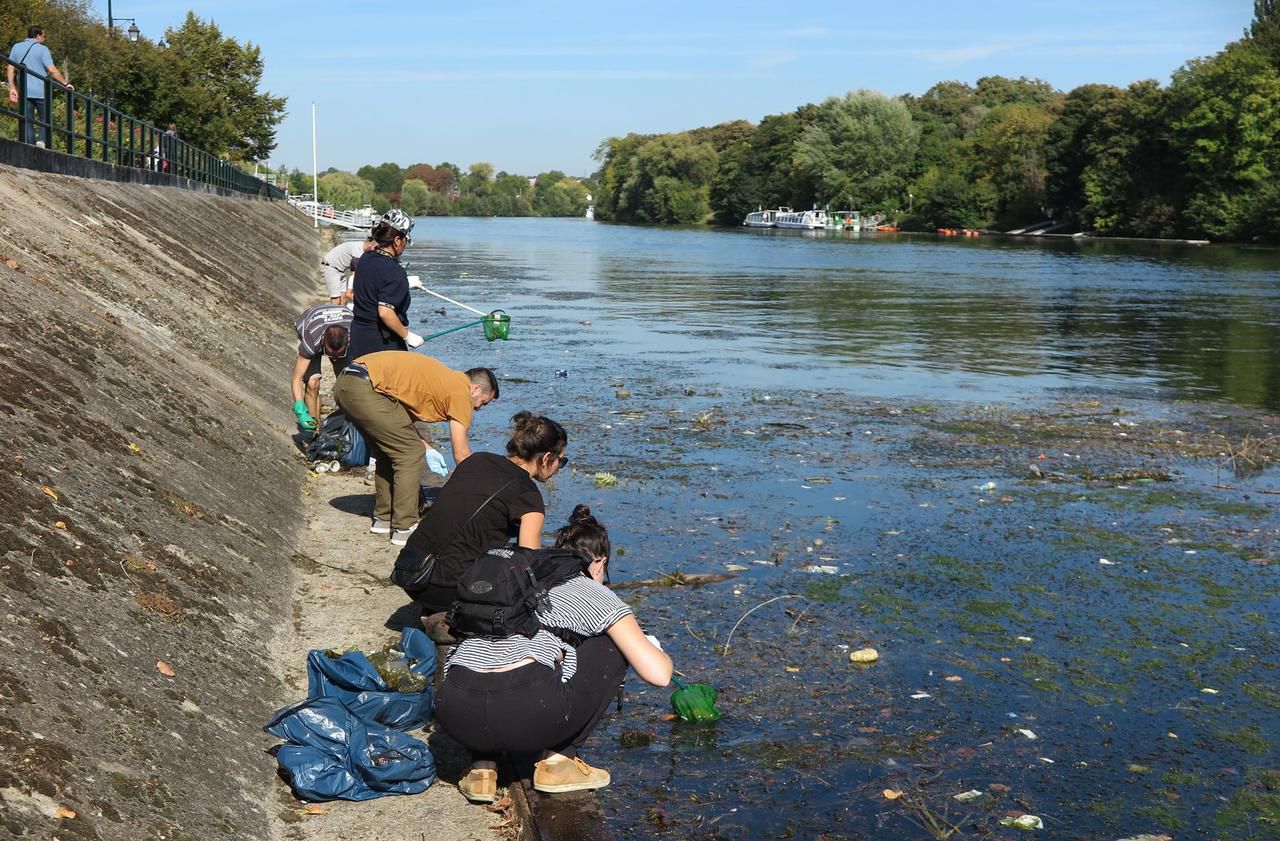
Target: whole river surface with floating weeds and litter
x: 1018, y: 470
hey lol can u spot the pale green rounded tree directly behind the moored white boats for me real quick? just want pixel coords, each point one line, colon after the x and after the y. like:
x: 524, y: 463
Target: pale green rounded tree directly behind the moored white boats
x: 860, y: 150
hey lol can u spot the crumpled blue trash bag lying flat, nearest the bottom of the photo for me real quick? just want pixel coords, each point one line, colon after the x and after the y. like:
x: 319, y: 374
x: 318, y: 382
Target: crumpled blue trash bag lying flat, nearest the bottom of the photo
x: 331, y: 755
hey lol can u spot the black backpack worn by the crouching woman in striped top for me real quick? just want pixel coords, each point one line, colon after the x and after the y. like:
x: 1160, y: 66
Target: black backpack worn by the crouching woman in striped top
x: 500, y: 591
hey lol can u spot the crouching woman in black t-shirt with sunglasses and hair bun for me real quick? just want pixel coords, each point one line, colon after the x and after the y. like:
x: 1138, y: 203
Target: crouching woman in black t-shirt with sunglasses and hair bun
x: 488, y: 501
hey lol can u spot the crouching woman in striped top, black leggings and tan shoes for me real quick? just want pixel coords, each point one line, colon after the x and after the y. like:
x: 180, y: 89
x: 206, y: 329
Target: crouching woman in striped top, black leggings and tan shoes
x: 542, y: 696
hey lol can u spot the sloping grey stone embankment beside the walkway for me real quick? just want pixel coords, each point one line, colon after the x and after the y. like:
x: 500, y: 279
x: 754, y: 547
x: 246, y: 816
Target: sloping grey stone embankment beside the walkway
x: 148, y: 501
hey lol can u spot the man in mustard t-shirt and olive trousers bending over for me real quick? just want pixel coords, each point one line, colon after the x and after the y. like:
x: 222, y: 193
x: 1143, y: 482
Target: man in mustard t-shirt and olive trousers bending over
x: 385, y: 394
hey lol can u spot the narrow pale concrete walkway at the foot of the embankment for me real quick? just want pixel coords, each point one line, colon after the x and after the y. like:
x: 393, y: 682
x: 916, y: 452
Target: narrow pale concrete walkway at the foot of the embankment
x: 342, y: 600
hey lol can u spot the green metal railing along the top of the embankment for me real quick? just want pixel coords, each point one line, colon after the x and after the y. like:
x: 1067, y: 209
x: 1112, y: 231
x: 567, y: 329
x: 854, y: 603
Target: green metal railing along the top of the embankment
x: 80, y: 125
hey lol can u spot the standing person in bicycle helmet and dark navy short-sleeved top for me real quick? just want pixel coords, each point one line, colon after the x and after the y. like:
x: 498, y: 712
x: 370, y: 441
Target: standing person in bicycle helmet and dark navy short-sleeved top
x: 381, y: 313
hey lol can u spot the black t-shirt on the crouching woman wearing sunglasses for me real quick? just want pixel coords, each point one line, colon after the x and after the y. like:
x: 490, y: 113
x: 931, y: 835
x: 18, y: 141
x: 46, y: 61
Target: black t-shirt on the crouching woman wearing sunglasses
x: 446, y: 531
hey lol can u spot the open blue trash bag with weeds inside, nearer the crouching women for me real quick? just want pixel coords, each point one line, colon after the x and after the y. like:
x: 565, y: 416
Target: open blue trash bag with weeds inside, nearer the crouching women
x: 354, y: 680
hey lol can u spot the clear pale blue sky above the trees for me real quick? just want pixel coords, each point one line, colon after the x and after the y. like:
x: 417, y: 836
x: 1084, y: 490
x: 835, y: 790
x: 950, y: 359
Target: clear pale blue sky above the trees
x: 536, y: 85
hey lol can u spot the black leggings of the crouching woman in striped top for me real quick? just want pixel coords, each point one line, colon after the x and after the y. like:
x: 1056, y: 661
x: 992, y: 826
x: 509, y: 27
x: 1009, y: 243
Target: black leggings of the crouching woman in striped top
x: 529, y: 710
